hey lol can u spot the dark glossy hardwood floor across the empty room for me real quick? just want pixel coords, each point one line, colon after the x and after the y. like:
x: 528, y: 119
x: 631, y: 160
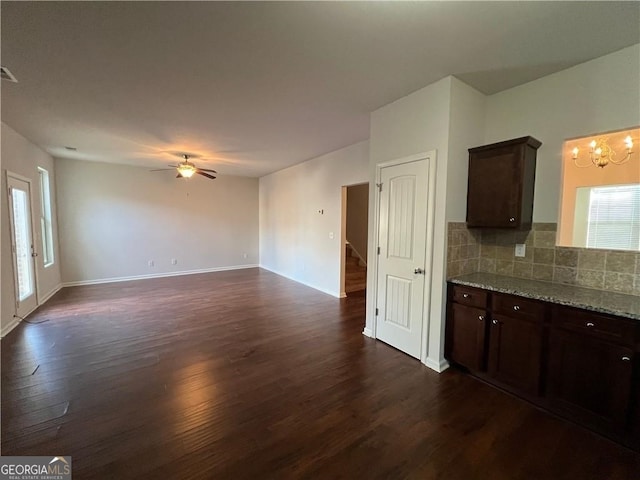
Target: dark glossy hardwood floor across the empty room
x: 245, y: 374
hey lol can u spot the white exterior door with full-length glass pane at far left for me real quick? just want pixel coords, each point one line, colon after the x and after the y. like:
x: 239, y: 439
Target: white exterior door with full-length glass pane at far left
x: 22, y: 246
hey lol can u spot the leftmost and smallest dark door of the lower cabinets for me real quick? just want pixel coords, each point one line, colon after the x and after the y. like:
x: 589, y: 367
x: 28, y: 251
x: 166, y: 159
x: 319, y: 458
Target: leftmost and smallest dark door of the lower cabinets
x: 466, y: 336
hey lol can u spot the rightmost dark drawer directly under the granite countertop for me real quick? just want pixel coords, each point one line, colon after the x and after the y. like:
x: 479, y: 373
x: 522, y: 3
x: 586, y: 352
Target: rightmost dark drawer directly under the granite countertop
x: 596, y: 325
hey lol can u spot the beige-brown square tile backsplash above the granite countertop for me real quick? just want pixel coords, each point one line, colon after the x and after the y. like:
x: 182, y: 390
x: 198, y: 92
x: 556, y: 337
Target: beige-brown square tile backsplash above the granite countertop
x: 493, y: 251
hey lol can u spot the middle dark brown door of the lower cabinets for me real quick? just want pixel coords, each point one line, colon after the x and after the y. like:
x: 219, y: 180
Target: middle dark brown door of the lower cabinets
x: 515, y: 349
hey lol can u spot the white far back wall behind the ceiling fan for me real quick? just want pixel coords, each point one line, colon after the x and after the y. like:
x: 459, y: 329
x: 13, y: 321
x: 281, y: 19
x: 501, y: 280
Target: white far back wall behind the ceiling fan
x: 113, y: 219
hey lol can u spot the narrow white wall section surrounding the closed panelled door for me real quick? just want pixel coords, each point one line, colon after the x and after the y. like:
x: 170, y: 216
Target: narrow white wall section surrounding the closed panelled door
x: 415, y: 124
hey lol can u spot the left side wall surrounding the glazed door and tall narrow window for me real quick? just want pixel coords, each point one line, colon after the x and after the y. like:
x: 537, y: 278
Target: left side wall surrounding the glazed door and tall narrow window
x: 22, y: 157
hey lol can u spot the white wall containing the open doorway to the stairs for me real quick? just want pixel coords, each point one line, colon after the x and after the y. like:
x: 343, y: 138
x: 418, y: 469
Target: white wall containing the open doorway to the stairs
x: 294, y: 236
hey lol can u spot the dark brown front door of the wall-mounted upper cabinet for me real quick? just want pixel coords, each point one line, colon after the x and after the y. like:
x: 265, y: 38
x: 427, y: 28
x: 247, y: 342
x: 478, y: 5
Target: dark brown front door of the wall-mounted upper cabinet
x: 495, y: 185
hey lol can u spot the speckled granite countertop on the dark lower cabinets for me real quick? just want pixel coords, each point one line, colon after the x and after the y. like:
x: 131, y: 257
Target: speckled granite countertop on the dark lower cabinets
x: 627, y: 306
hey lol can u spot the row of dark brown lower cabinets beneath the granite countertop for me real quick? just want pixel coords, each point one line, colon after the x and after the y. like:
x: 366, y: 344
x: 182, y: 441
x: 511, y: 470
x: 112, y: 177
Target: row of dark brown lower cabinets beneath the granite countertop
x: 582, y: 365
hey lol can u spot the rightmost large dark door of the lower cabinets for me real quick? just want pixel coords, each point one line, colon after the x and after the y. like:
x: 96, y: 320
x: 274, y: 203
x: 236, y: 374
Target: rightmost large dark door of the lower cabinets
x: 590, y: 379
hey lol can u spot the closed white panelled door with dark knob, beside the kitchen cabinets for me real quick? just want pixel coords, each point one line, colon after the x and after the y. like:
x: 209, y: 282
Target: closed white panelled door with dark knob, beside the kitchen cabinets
x: 402, y: 234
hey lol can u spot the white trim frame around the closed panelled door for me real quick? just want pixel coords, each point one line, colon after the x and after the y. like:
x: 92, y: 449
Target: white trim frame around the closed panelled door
x: 431, y: 157
